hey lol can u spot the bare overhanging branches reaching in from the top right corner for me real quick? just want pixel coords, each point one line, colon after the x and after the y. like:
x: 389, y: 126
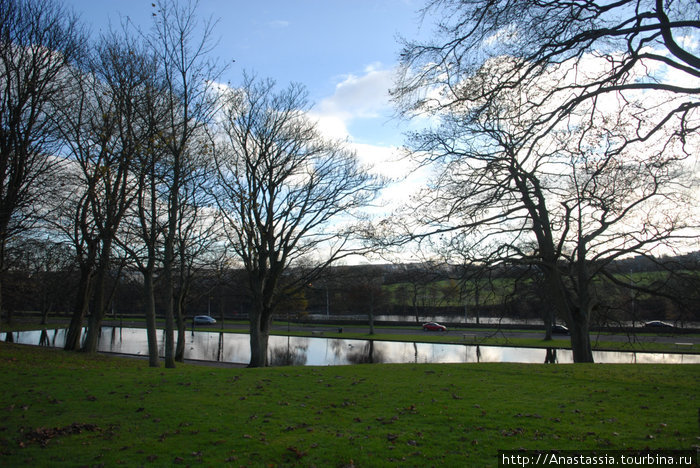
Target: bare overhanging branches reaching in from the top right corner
x: 645, y: 44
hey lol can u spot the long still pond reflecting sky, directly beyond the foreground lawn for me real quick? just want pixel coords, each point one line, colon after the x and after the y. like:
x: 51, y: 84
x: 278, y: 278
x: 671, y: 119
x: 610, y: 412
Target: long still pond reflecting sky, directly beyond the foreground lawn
x: 302, y: 351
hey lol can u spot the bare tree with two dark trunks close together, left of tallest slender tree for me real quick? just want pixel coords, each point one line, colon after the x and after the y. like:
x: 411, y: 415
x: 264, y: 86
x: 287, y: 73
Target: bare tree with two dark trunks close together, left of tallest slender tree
x: 104, y: 131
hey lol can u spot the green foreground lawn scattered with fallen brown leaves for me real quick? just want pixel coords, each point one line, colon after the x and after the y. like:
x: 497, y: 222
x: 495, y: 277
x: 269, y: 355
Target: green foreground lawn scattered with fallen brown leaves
x: 82, y: 410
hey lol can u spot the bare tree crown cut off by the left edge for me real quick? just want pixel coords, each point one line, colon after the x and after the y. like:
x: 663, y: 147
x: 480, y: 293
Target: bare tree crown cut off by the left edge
x: 38, y: 41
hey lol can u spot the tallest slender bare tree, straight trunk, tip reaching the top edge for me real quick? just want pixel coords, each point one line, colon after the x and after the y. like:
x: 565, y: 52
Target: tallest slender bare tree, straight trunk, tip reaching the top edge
x: 189, y: 79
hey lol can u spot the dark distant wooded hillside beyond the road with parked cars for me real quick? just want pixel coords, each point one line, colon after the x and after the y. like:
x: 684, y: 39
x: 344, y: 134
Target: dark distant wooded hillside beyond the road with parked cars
x: 639, y: 288
